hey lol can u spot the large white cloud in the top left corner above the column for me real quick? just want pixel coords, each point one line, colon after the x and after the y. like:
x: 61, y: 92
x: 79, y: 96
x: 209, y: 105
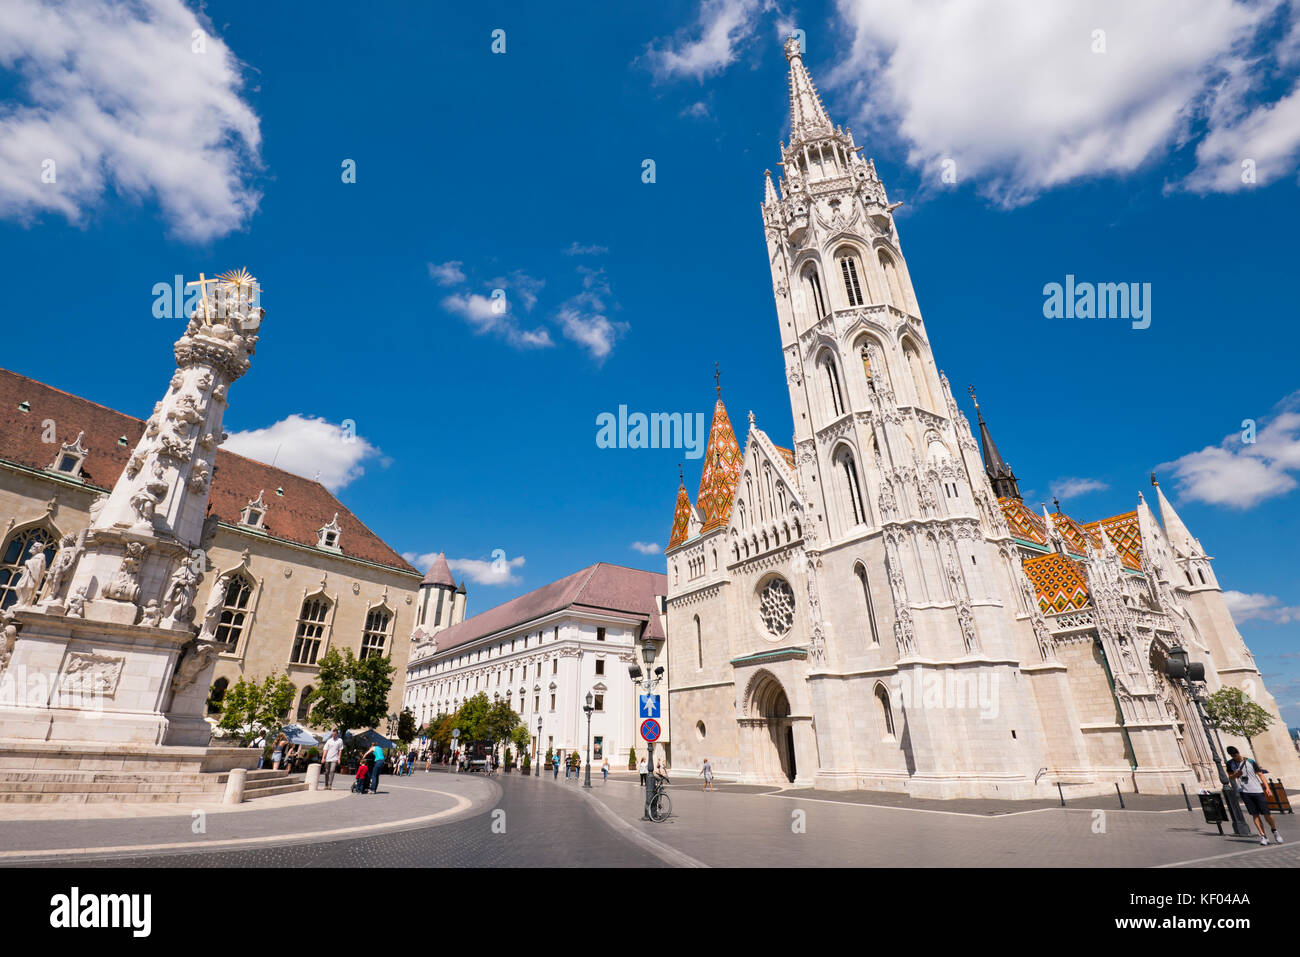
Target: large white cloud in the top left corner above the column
x: 115, y: 96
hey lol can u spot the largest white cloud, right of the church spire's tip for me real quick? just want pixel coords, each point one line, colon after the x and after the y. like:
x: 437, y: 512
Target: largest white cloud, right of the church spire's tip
x: 1015, y: 94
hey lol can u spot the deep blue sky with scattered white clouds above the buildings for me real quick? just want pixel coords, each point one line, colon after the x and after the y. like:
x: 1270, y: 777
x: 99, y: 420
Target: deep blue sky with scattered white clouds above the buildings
x: 523, y: 171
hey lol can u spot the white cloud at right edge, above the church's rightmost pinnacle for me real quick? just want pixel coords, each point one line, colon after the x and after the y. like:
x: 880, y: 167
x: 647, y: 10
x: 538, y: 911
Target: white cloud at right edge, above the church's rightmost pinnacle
x: 1242, y: 474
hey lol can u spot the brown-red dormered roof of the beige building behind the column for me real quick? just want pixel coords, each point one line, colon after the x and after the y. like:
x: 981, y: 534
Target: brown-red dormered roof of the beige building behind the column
x: 297, y: 516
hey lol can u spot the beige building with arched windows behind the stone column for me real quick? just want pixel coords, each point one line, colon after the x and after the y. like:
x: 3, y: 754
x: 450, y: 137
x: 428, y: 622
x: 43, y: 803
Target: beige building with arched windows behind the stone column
x: 288, y: 571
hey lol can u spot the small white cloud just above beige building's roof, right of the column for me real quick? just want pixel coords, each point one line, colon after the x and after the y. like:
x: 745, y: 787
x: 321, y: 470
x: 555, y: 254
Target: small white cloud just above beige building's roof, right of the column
x: 306, y: 447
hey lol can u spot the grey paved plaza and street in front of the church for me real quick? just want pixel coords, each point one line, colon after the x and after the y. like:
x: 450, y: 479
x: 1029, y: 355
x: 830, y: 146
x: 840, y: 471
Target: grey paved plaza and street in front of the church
x: 457, y: 821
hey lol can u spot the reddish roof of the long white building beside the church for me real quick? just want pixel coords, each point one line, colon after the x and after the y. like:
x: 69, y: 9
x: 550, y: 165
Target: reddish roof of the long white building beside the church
x: 596, y: 588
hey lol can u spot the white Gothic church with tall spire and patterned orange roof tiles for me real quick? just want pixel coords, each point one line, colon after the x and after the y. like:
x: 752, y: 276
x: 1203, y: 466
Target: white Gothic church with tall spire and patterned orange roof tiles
x: 874, y: 607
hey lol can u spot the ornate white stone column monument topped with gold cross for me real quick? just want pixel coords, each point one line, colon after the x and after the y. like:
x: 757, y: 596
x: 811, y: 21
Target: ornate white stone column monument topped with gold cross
x: 103, y: 646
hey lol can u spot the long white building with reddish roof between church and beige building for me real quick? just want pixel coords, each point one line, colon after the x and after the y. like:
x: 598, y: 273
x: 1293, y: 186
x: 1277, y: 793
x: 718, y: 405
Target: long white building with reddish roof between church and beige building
x: 543, y: 653
